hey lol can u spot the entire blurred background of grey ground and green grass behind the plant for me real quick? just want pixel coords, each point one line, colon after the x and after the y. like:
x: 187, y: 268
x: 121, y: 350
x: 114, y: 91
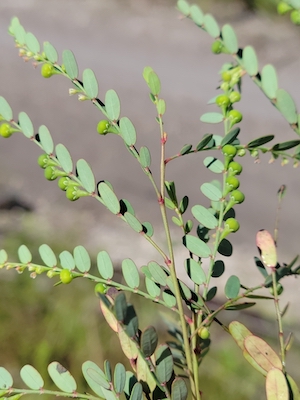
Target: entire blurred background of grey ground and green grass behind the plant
x: 117, y: 39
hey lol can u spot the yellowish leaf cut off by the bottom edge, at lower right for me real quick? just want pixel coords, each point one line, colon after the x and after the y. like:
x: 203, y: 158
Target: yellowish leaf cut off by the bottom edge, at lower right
x: 276, y: 385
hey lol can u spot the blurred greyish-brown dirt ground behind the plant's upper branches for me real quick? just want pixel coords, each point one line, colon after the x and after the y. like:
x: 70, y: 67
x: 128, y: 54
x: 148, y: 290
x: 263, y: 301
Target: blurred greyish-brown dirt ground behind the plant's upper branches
x: 117, y: 40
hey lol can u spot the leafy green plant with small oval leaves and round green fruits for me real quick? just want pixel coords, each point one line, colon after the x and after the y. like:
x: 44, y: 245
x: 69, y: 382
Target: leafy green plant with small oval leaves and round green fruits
x: 172, y: 369
